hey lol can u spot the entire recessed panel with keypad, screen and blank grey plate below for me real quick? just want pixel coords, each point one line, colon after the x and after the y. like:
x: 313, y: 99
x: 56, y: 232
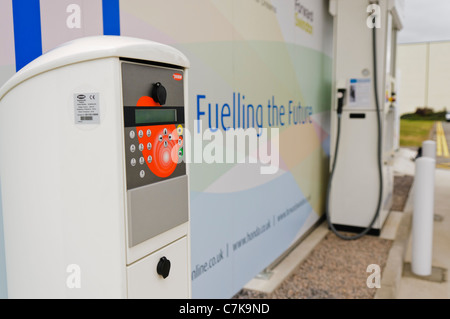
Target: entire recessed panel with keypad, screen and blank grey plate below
x: 154, y: 122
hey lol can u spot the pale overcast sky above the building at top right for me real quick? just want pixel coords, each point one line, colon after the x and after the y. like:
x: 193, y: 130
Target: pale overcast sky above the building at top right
x: 426, y: 20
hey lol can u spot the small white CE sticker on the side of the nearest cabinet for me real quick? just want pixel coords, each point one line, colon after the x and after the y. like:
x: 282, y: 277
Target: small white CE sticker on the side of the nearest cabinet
x: 87, y: 108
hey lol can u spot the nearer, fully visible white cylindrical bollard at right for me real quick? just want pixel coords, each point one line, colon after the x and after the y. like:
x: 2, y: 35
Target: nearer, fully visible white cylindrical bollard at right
x: 422, y: 225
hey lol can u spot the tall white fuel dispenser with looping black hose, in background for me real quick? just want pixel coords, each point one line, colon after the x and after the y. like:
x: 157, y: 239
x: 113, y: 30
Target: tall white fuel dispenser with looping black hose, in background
x: 364, y: 115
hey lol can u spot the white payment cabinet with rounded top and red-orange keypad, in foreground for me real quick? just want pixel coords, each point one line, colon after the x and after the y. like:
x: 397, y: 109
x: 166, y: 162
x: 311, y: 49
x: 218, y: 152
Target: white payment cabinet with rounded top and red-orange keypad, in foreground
x: 94, y: 186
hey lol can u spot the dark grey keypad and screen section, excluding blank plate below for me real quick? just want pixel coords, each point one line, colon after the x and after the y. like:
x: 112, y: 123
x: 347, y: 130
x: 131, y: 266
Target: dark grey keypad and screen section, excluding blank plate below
x: 153, y: 101
